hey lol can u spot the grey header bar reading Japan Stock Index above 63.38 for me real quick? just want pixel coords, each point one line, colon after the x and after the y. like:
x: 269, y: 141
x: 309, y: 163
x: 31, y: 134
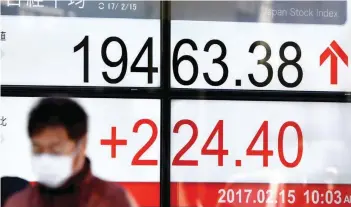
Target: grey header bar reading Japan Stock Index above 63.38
x: 303, y: 12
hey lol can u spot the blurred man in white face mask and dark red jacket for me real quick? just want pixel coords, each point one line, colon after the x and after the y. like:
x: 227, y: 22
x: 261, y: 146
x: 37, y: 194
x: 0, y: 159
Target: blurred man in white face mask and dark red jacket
x: 57, y: 128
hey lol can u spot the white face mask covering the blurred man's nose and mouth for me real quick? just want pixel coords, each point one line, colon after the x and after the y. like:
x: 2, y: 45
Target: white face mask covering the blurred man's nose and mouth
x: 53, y: 170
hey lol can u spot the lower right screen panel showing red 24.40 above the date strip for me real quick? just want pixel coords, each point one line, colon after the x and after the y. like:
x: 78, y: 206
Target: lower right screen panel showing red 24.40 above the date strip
x: 254, y: 153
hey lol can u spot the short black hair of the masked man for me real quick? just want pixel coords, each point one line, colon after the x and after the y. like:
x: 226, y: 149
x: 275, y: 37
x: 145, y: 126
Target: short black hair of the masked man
x: 56, y: 111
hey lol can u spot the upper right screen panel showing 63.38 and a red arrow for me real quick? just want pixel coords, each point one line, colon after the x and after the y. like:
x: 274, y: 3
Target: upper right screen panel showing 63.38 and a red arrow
x: 260, y: 45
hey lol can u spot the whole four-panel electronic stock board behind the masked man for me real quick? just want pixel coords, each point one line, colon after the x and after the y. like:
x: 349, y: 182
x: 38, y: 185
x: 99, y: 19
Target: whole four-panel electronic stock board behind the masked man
x: 227, y: 151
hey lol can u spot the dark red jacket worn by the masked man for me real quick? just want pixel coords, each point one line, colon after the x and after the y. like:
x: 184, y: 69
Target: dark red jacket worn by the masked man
x: 82, y: 190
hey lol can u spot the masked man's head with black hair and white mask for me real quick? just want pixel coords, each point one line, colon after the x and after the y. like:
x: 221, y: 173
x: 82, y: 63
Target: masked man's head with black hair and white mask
x: 58, y: 129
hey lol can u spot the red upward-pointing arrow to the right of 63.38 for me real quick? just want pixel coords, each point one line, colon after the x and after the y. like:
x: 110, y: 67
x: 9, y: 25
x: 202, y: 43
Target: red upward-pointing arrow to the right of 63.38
x: 334, y: 60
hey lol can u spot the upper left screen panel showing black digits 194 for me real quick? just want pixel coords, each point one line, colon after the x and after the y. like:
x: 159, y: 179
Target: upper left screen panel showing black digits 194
x: 81, y: 43
